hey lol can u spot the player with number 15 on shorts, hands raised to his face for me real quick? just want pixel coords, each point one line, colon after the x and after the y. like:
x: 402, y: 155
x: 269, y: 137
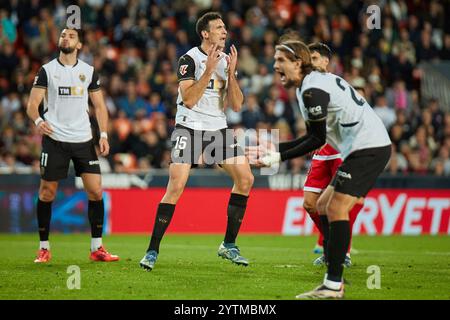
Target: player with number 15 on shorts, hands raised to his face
x: 207, y: 85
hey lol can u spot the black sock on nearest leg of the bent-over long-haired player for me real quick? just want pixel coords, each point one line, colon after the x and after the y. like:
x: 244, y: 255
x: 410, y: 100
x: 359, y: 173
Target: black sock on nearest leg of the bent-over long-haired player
x: 337, y: 248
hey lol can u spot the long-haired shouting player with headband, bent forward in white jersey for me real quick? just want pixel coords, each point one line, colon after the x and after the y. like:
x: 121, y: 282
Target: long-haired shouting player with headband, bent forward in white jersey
x: 335, y: 113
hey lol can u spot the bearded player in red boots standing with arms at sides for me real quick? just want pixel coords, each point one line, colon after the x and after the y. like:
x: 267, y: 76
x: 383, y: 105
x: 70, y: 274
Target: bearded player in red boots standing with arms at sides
x: 65, y: 84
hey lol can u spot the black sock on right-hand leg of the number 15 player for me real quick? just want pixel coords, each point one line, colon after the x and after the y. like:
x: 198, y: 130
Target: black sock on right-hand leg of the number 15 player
x: 235, y: 212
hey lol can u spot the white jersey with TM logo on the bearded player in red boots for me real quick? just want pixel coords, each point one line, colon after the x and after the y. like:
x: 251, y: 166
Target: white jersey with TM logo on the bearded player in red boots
x: 66, y: 106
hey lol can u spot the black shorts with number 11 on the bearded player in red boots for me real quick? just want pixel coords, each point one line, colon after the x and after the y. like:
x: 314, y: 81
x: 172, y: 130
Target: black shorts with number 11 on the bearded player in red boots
x: 56, y: 156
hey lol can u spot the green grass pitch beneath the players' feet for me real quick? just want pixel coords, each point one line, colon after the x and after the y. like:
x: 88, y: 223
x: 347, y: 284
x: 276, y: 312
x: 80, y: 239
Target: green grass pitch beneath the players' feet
x: 188, y: 268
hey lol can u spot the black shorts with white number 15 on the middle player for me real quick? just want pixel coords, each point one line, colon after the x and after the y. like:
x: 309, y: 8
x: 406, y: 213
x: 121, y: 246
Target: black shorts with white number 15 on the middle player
x: 188, y: 145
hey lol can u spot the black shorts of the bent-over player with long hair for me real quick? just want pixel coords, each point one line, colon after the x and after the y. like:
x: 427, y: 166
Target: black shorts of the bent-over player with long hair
x: 359, y: 171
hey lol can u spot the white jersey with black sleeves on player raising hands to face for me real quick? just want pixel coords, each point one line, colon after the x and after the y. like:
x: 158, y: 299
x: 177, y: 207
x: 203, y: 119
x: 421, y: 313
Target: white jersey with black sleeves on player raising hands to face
x: 208, y: 113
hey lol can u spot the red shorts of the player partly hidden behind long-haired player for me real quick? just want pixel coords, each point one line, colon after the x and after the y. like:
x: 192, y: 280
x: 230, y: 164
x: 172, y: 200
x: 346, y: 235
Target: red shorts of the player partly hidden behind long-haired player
x: 320, y: 174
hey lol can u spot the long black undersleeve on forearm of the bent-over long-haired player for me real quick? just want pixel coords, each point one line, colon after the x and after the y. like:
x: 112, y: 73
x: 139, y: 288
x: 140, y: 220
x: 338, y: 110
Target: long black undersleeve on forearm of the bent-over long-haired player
x: 314, y: 139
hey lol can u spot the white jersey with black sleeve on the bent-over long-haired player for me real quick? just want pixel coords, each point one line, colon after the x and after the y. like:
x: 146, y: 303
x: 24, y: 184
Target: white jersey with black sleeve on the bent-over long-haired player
x: 351, y: 123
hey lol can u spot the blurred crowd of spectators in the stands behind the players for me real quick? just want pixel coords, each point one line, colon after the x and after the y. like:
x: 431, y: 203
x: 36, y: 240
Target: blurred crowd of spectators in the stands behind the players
x: 135, y: 46
